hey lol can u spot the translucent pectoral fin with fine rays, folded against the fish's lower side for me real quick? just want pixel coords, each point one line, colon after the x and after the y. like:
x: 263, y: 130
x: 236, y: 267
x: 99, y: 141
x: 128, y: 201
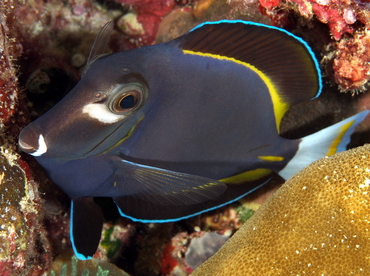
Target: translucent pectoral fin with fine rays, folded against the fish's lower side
x: 164, y: 187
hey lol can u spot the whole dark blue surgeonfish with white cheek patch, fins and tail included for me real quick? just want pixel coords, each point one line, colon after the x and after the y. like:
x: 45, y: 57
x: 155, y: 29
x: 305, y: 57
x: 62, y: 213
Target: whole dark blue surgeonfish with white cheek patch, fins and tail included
x: 176, y: 129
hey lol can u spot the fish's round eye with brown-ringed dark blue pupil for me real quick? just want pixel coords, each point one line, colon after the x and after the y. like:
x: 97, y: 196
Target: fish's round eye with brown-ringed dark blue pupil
x: 125, y: 98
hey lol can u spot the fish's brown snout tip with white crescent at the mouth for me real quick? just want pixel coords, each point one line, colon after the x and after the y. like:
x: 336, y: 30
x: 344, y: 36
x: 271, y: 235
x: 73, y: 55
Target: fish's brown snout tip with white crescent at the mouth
x: 32, y: 142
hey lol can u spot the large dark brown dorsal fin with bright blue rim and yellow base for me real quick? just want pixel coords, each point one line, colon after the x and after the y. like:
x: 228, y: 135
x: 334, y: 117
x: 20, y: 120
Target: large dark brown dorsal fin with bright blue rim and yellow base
x: 285, y: 59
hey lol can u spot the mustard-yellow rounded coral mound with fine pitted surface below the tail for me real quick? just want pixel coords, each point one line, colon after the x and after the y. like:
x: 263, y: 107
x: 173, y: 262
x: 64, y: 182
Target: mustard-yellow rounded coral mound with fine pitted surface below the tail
x: 316, y: 223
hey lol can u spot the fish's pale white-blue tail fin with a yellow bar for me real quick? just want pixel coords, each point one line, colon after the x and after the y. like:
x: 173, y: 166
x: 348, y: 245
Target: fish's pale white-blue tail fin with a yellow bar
x: 325, y: 142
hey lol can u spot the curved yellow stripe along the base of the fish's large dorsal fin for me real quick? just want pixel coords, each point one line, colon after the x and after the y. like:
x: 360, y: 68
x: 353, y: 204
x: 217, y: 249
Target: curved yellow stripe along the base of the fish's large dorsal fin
x: 280, y: 107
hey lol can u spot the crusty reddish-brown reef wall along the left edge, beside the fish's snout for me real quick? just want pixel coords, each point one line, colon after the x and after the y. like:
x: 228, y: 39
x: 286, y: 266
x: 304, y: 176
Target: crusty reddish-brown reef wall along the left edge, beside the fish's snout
x: 24, y: 248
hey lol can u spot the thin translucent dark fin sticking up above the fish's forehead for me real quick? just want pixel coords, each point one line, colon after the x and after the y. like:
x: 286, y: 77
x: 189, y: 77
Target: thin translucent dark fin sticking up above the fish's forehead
x: 99, y: 44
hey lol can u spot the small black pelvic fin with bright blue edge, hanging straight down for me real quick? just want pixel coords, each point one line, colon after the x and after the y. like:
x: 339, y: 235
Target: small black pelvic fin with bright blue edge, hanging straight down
x: 86, y: 223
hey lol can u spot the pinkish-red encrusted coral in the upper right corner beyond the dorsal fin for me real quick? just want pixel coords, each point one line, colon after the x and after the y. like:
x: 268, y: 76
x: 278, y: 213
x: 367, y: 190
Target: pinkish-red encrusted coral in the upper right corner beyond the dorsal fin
x: 348, y: 22
